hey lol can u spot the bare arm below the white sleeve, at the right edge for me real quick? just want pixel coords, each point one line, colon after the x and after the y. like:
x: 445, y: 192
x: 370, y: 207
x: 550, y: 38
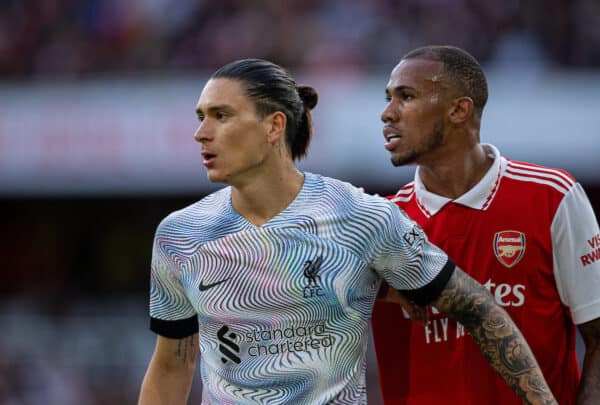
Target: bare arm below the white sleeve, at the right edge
x: 589, y: 386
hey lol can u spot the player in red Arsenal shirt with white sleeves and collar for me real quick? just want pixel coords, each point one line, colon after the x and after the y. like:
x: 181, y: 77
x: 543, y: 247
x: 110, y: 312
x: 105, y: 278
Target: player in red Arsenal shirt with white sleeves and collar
x: 527, y: 233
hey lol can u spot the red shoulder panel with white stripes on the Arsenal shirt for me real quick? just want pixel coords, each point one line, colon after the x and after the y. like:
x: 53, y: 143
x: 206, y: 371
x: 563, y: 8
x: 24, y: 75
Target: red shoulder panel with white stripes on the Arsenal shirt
x: 533, y: 176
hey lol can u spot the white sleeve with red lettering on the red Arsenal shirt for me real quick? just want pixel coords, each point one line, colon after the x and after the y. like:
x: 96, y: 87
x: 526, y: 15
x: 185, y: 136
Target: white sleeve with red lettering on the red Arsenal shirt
x: 576, y: 255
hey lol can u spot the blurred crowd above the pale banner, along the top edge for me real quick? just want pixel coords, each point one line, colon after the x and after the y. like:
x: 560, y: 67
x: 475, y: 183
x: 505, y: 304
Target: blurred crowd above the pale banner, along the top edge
x: 74, y: 38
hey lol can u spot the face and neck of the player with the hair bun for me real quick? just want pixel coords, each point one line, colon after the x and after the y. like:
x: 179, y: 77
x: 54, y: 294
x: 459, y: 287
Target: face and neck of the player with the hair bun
x: 245, y: 151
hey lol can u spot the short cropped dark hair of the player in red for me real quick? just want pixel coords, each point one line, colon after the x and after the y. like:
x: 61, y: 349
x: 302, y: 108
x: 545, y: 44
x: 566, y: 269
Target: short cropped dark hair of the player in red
x: 466, y: 74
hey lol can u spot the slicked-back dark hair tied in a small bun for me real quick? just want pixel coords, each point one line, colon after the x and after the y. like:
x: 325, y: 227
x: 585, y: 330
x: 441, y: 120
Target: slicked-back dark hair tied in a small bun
x: 272, y: 89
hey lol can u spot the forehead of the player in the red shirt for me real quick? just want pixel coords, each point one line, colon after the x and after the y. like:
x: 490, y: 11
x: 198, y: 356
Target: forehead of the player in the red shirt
x: 420, y: 74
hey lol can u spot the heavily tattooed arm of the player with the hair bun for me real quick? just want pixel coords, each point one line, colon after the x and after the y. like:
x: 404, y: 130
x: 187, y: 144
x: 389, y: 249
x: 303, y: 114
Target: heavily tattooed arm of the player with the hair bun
x: 496, y: 335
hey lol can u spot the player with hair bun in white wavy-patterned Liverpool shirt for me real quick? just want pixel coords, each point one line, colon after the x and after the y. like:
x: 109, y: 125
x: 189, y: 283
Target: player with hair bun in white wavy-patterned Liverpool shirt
x: 273, y: 278
